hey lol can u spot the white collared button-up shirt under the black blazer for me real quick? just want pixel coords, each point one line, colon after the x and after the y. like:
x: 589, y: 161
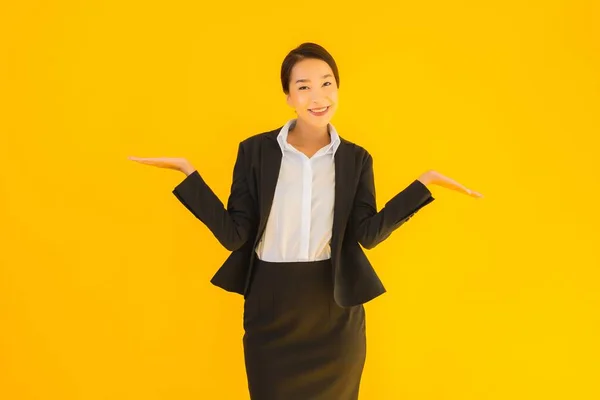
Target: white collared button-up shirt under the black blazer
x: 301, y: 218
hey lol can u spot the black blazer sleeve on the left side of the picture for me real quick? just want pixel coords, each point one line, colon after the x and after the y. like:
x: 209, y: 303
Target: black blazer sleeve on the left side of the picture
x: 232, y: 226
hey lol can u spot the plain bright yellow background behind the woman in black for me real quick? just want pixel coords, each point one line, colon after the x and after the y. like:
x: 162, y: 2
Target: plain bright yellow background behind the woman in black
x: 104, y: 275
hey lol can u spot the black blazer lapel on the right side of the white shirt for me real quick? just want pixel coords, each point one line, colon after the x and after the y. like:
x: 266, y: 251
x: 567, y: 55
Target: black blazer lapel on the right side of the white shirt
x: 344, y: 178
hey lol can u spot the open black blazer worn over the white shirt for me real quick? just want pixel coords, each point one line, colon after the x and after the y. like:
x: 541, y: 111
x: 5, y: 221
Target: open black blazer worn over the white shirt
x: 355, y: 221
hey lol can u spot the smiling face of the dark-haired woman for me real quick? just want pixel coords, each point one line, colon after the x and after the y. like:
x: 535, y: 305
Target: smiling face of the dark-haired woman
x: 313, y: 92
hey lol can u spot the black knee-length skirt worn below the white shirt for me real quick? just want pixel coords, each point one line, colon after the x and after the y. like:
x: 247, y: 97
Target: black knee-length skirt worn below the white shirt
x: 298, y: 343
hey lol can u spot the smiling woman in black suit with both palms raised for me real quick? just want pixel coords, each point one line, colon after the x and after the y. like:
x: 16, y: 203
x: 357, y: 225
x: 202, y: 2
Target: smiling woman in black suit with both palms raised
x: 302, y: 202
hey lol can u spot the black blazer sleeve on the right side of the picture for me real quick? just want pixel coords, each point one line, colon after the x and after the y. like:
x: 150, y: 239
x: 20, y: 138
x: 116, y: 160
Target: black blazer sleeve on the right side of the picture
x: 371, y: 227
